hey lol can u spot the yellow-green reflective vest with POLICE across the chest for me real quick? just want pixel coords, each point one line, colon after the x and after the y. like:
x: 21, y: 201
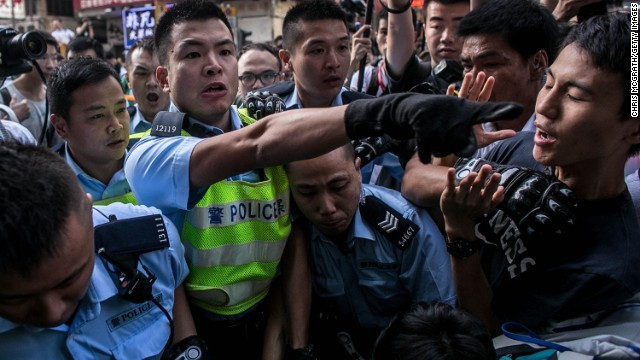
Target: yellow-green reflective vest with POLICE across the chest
x: 234, y: 238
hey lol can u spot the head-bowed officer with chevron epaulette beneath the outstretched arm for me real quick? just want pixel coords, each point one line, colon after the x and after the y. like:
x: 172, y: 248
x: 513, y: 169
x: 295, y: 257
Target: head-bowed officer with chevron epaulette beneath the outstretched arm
x: 371, y: 253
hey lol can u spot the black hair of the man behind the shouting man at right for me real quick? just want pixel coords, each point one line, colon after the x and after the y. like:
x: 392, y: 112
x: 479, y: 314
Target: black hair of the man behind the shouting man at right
x: 526, y: 25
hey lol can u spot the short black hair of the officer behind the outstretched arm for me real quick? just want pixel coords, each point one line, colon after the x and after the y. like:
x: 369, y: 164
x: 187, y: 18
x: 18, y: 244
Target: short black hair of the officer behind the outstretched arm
x: 306, y: 11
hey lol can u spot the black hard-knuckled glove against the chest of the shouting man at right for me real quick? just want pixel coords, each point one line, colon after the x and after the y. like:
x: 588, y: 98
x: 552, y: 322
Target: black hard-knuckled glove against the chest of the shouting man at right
x: 538, y: 203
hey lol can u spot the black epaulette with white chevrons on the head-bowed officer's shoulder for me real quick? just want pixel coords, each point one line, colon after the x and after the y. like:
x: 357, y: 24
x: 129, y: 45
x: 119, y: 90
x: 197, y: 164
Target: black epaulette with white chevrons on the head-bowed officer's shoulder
x: 397, y: 229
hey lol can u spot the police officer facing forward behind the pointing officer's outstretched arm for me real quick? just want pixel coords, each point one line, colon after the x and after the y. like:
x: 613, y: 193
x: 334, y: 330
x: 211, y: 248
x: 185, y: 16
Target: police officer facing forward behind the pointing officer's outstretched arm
x: 316, y: 49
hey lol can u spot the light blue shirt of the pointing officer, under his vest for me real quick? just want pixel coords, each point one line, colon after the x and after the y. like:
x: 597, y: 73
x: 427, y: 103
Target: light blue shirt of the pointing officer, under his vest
x: 158, y: 170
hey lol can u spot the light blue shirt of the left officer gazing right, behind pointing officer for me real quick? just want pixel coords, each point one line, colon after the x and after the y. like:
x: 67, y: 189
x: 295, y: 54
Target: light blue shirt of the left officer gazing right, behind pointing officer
x: 117, y: 186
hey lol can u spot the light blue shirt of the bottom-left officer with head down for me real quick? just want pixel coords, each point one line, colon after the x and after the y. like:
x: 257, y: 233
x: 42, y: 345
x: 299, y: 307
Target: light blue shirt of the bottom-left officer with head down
x: 105, y: 325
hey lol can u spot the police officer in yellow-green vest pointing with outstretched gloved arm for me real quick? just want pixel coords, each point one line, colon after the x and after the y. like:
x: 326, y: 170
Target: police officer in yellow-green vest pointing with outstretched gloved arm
x: 221, y: 184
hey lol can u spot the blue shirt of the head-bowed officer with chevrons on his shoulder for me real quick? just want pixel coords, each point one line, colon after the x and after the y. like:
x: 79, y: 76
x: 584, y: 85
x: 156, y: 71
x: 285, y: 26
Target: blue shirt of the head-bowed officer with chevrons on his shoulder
x: 373, y: 279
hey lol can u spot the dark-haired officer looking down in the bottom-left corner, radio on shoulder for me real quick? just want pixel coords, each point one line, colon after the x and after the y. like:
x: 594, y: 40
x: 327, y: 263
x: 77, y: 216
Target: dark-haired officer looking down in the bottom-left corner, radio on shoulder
x: 62, y: 295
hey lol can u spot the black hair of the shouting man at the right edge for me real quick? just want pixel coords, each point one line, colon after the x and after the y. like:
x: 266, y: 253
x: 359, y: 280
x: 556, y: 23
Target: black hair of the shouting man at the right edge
x: 606, y: 40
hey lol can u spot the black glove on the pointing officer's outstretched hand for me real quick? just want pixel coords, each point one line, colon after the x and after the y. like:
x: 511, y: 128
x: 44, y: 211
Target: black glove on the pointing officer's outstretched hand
x: 441, y: 124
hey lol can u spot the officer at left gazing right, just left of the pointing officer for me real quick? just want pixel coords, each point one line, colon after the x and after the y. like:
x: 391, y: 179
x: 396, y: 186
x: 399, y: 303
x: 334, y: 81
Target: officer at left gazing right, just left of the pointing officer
x: 90, y: 113
